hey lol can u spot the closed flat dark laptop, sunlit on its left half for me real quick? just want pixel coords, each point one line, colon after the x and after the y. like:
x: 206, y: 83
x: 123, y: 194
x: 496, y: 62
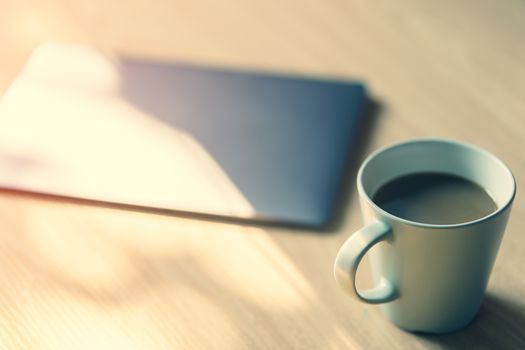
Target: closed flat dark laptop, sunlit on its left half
x: 80, y: 123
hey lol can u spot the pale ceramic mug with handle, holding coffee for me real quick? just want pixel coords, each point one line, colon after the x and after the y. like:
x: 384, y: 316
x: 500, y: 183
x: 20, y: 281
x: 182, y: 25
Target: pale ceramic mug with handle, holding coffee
x: 429, y: 278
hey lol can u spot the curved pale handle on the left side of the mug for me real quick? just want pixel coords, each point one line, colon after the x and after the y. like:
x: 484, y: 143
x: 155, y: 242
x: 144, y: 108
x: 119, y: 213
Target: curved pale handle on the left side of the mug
x: 349, y: 257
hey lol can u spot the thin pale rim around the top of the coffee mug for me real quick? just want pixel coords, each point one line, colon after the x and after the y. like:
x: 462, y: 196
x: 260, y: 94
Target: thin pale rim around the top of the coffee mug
x: 475, y: 148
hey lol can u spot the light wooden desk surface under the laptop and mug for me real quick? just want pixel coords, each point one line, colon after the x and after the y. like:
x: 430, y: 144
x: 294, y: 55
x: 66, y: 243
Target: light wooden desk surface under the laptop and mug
x: 78, y: 276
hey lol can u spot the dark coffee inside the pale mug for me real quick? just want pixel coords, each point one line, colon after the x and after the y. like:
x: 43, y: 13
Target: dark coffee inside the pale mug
x: 434, y: 198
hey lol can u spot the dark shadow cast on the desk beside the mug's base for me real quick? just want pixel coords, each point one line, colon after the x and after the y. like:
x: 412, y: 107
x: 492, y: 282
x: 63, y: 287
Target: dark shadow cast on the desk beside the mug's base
x: 499, y: 325
